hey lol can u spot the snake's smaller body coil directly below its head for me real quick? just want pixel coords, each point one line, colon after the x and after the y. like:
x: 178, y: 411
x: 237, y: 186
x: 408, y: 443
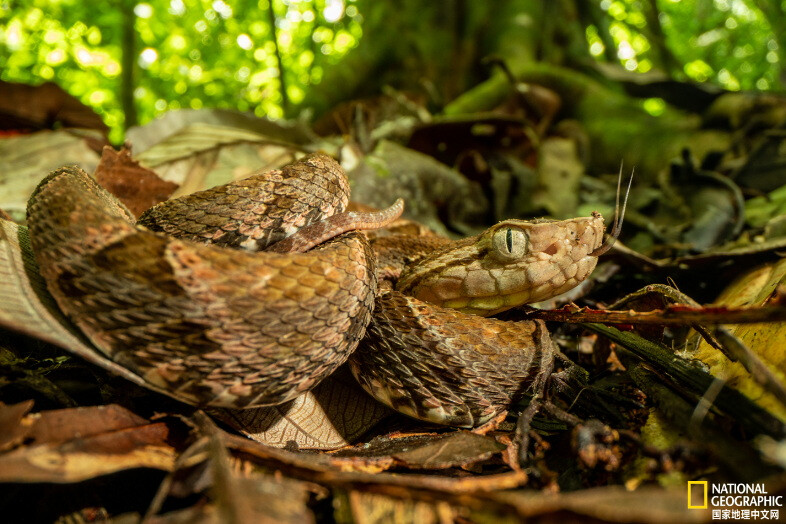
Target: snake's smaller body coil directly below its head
x: 447, y: 367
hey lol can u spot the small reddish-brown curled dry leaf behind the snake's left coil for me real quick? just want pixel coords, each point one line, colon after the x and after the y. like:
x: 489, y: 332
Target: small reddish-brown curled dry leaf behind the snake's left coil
x: 137, y: 187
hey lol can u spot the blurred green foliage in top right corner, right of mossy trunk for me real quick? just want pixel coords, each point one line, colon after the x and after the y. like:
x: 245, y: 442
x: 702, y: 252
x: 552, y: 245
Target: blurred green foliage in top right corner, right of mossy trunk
x: 728, y: 42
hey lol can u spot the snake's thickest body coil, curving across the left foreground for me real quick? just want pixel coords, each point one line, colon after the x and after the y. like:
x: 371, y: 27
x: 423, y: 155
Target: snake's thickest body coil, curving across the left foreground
x: 214, y: 326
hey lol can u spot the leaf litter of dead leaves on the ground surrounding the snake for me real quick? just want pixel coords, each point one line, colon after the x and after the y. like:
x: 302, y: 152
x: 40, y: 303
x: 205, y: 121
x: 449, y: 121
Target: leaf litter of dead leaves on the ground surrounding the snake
x: 334, y: 452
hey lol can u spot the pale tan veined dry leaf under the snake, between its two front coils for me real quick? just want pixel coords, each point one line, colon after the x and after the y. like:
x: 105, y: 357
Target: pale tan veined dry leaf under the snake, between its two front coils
x: 332, y: 415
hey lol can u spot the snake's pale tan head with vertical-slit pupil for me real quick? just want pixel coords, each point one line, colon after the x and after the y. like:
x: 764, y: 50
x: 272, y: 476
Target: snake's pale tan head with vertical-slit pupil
x: 512, y: 263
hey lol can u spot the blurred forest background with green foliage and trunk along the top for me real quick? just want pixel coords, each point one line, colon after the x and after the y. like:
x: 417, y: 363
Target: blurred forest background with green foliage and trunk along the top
x: 133, y: 61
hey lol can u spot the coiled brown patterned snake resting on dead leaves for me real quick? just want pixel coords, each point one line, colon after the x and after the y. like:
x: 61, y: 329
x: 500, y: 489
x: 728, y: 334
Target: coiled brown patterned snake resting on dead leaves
x: 252, y: 293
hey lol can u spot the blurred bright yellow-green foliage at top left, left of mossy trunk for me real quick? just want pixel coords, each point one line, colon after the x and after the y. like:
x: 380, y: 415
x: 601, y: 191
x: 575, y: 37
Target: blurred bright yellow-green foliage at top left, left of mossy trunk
x: 194, y: 54
